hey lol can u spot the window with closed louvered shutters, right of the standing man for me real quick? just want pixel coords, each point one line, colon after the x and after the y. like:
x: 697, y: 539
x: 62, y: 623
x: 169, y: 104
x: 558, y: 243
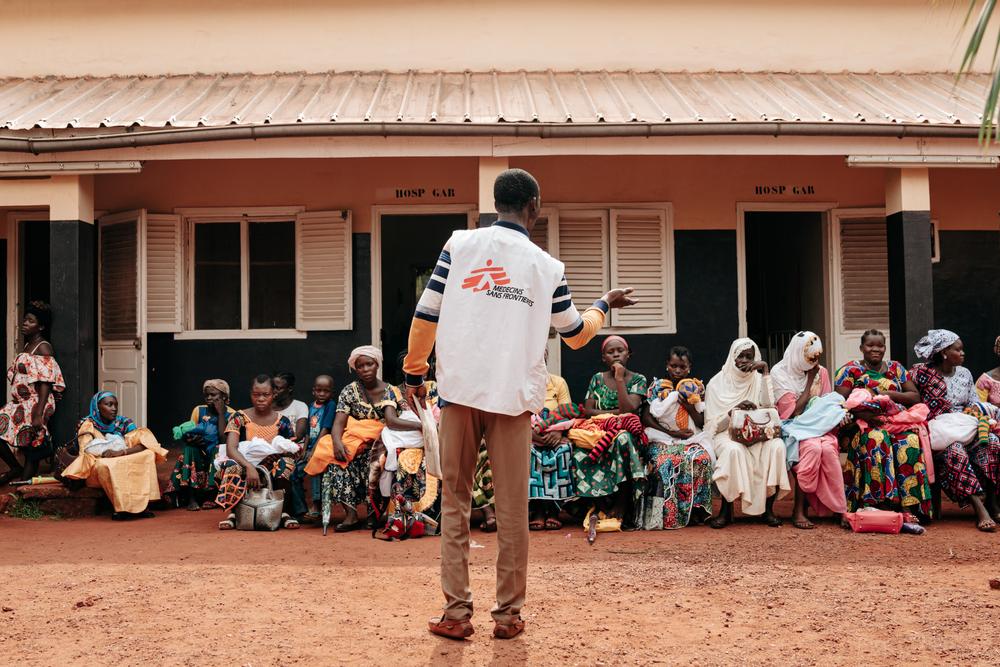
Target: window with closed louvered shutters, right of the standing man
x: 616, y: 246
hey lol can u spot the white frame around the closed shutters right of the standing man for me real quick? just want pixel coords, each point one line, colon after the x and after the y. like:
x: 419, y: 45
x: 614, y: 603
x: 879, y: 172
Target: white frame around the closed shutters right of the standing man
x: 552, y: 211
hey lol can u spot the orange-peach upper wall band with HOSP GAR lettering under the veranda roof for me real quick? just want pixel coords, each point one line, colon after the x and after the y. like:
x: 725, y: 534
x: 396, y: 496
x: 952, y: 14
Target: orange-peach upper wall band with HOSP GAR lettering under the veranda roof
x: 703, y: 189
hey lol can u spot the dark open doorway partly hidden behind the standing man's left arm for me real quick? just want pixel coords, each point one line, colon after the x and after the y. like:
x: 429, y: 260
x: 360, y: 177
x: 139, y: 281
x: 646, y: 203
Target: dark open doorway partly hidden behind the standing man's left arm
x: 411, y: 245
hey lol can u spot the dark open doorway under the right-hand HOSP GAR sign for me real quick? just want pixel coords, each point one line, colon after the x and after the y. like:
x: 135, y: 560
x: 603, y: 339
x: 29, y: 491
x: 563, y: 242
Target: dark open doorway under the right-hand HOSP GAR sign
x: 784, y: 278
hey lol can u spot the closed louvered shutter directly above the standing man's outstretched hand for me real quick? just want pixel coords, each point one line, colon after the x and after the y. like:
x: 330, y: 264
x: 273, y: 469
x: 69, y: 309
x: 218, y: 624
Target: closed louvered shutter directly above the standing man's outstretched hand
x: 640, y: 255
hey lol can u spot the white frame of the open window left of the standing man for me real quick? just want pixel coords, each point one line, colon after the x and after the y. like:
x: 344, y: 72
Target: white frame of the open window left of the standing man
x: 196, y: 216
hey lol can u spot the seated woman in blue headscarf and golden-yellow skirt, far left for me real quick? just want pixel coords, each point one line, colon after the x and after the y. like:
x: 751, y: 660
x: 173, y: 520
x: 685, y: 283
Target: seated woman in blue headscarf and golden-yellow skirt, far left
x: 118, y: 457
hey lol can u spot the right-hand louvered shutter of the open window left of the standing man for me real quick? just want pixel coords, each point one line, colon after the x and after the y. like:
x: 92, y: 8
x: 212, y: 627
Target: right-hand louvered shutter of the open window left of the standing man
x: 323, y: 288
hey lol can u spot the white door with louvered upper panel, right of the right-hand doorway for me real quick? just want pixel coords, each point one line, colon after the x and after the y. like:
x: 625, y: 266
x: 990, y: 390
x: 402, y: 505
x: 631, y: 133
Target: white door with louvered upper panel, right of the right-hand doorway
x: 859, y: 280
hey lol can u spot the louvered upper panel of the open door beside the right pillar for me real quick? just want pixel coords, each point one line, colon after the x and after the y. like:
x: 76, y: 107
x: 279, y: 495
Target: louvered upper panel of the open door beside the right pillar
x: 864, y: 267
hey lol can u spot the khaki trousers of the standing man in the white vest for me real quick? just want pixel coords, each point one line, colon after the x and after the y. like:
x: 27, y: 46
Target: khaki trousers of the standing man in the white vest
x: 508, y: 442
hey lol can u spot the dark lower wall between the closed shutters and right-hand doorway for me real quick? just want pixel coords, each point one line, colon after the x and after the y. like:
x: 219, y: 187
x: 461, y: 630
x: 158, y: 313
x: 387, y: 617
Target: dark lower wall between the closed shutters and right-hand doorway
x: 707, y: 314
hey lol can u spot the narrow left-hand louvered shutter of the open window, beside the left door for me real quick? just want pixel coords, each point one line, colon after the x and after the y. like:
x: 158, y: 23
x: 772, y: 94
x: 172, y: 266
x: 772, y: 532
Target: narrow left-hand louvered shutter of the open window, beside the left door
x: 164, y: 272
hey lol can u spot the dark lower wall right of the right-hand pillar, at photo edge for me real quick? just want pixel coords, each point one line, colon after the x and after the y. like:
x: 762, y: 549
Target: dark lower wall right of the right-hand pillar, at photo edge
x: 967, y: 293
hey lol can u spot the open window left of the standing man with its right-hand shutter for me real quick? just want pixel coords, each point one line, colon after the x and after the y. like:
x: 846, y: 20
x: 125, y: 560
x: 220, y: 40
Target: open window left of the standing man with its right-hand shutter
x: 264, y: 272
